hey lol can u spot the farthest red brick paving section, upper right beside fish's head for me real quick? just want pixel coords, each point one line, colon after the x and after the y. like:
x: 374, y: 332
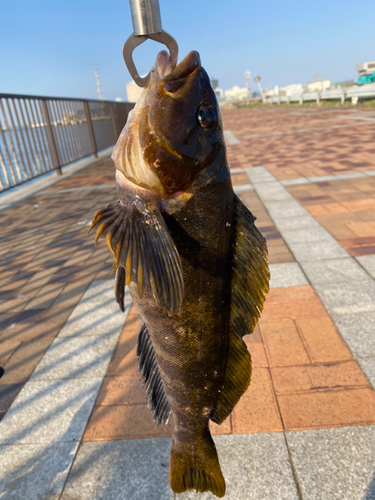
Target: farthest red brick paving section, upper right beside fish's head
x: 299, y: 142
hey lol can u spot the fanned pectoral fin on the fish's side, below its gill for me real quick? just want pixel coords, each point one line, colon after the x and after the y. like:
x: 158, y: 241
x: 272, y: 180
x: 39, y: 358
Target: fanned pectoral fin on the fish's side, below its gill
x: 141, y: 245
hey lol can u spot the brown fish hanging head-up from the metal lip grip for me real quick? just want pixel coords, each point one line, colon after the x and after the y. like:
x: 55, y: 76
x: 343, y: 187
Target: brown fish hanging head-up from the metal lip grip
x: 194, y: 261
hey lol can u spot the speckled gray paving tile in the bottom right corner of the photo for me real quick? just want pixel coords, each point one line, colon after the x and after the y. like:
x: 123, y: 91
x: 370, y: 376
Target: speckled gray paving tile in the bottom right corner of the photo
x: 335, y: 464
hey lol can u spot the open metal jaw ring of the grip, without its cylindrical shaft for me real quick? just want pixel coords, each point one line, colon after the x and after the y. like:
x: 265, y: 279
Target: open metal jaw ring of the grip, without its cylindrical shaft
x: 134, y: 40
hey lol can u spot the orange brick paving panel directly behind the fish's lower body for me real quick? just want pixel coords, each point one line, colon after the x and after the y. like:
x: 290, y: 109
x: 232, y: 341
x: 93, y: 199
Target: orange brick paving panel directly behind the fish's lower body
x: 301, y: 369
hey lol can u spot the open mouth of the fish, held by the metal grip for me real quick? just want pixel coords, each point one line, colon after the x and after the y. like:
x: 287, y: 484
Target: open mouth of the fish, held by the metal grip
x: 187, y: 68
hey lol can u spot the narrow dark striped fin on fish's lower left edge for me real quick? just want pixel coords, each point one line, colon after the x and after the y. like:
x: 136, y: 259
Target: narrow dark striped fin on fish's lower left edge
x: 148, y: 366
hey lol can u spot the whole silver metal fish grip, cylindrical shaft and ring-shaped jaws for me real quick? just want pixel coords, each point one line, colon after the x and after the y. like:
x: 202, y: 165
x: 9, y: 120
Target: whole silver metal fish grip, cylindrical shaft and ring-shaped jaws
x: 146, y: 24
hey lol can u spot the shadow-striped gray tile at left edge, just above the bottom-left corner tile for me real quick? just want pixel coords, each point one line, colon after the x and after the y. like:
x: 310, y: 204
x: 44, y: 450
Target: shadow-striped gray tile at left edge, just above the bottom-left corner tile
x: 49, y: 411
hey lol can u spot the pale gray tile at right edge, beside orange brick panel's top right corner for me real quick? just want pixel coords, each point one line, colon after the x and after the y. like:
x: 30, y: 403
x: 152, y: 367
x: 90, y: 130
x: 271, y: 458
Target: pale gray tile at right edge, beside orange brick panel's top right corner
x: 347, y: 297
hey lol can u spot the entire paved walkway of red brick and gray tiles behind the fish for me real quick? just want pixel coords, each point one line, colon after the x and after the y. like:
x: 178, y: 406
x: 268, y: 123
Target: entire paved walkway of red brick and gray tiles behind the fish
x: 75, y: 424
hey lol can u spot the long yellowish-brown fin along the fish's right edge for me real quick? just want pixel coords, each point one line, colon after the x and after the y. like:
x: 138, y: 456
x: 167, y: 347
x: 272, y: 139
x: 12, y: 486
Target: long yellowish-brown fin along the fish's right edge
x: 249, y: 286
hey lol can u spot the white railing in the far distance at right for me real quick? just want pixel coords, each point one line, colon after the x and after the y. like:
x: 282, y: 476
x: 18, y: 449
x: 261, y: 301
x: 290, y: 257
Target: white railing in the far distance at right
x: 364, y: 92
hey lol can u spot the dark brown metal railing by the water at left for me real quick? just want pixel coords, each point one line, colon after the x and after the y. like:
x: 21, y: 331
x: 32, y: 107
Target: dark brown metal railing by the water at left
x: 40, y: 134
